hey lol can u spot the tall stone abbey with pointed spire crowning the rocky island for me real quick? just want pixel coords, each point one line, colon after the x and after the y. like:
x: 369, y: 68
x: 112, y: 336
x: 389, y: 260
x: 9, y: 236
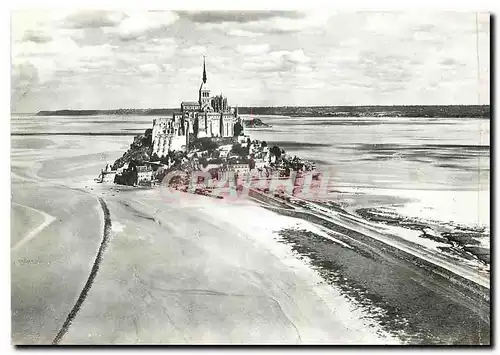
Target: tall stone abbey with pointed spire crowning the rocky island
x: 210, y: 116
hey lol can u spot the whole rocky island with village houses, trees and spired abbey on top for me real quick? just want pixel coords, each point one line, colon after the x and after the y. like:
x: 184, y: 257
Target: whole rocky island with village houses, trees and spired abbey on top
x: 205, y: 135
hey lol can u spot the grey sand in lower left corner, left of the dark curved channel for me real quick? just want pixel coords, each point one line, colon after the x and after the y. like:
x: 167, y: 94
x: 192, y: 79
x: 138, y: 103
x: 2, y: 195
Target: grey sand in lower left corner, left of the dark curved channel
x: 51, y: 267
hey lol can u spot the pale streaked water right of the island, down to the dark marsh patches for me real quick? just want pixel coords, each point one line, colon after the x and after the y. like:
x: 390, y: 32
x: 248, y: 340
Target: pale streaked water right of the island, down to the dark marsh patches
x: 440, y: 165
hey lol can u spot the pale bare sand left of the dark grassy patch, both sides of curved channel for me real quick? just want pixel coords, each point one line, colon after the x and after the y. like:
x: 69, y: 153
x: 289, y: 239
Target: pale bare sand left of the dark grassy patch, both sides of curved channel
x: 174, y: 272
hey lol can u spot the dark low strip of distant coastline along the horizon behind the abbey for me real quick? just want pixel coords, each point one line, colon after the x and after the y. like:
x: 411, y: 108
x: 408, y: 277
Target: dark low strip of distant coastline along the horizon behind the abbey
x: 482, y: 111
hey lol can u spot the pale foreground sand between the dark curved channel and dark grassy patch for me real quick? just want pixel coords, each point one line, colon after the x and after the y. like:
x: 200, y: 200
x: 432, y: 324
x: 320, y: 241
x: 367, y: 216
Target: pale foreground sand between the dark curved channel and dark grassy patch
x: 185, y: 272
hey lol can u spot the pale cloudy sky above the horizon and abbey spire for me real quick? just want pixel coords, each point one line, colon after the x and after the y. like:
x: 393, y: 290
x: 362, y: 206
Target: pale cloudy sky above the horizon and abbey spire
x: 140, y: 59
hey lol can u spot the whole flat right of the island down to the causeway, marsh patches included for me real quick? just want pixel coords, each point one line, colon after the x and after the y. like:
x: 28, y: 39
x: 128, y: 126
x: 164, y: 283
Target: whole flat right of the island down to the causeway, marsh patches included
x: 422, y: 179
